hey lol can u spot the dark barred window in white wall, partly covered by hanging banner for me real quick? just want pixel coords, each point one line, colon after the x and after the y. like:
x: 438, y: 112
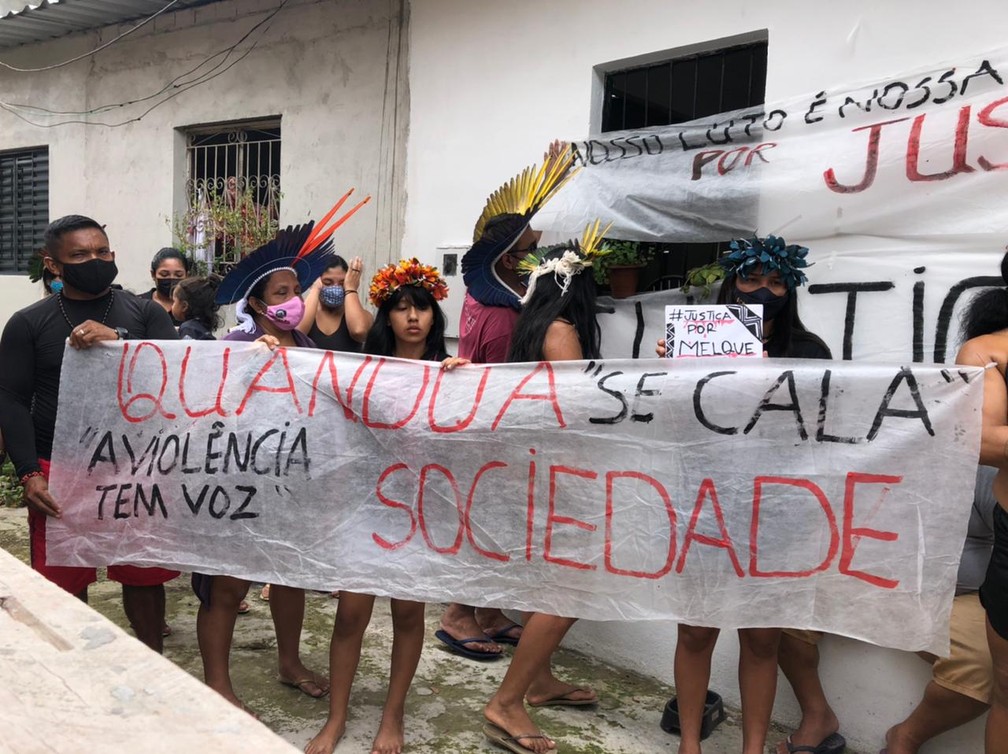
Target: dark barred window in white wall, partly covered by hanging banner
x: 679, y: 90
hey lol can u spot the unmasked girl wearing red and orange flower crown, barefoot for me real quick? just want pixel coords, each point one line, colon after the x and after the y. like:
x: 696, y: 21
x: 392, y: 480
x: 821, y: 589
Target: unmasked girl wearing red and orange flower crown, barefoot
x: 410, y: 325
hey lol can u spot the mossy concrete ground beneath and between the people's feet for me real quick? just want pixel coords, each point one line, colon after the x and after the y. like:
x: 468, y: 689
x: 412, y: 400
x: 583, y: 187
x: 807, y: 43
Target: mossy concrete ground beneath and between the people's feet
x: 445, y: 708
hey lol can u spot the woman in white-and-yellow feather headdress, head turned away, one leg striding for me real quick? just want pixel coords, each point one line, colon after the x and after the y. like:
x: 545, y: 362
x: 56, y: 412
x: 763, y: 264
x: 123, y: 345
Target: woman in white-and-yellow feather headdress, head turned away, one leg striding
x: 558, y: 323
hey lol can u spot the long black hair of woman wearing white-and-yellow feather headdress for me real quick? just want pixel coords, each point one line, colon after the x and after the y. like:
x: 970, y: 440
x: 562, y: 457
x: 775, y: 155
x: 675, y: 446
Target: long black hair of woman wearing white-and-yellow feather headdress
x: 548, y: 304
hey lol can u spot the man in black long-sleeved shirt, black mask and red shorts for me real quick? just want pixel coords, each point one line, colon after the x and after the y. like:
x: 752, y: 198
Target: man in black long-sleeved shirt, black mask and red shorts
x: 86, y: 312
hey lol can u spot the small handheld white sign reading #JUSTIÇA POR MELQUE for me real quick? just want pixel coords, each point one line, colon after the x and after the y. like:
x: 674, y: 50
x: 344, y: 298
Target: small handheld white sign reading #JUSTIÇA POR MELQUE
x: 699, y: 331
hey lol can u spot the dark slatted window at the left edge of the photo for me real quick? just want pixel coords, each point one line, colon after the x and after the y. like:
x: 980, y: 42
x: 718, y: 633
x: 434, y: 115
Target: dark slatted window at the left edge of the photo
x: 25, y: 207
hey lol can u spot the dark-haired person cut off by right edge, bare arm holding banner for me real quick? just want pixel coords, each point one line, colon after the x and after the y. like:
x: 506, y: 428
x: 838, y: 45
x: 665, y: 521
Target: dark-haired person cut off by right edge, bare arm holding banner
x: 986, y: 327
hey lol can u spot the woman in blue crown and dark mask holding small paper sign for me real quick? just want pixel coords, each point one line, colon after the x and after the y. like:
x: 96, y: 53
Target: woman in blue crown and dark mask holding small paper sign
x: 765, y: 272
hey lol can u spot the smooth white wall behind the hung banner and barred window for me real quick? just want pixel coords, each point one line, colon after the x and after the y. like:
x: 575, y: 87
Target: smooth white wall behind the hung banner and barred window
x: 492, y: 83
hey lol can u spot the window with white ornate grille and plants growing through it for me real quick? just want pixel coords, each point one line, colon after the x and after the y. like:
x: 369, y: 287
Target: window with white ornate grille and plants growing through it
x: 233, y: 189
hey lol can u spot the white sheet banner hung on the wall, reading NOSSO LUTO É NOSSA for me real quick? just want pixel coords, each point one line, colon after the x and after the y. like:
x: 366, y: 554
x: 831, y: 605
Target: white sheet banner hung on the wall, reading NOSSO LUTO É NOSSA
x: 898, y: 188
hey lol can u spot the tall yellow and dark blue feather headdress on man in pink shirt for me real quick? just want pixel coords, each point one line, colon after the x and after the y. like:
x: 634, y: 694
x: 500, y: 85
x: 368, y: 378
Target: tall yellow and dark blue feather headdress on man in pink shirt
x: 519, y: 200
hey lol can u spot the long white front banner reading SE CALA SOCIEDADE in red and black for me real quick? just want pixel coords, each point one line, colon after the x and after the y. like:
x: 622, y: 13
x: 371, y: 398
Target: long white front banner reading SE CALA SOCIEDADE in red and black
x: 727, y: 493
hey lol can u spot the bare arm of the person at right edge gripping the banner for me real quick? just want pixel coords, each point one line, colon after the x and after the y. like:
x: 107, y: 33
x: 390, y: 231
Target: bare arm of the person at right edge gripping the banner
x: 979, y: 352
